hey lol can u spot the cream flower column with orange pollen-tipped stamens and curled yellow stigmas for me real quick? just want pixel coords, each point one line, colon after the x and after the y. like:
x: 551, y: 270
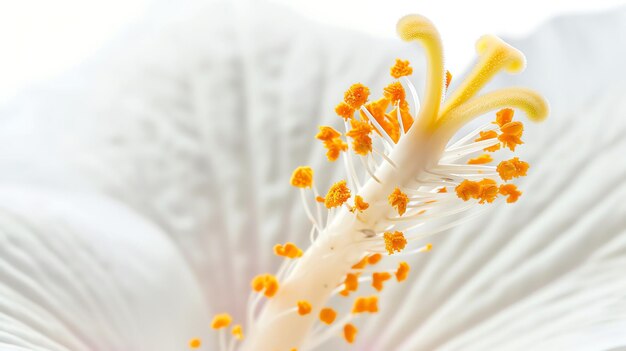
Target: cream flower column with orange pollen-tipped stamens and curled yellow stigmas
x: 413, y: 184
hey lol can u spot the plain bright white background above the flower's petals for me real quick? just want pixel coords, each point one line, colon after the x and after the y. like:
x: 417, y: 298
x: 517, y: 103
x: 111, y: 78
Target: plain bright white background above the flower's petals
x: 41, y: 38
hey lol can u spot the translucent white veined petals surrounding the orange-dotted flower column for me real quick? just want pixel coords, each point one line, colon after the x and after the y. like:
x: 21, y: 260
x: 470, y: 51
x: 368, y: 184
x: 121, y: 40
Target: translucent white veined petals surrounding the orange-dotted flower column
x: 141, y: 192
